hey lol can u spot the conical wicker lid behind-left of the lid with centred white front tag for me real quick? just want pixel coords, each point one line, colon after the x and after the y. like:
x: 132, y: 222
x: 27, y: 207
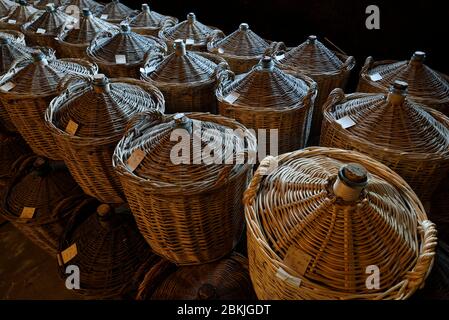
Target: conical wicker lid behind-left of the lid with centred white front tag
x: 89, y: 27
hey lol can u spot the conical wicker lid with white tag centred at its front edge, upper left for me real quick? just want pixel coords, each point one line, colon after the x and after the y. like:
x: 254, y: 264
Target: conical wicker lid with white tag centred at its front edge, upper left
x: 133, y: 46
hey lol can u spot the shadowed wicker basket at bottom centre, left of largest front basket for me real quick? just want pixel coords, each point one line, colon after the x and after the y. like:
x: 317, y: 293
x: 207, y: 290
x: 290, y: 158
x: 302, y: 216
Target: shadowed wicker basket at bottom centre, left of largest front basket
x: 227, y: 279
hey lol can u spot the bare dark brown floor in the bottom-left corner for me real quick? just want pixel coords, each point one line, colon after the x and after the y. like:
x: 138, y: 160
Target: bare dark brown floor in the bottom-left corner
x: 27, y: 272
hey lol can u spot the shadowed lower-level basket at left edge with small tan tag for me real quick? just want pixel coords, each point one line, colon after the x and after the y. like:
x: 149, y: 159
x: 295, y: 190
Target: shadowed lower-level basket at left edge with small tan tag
x: 48, y: 188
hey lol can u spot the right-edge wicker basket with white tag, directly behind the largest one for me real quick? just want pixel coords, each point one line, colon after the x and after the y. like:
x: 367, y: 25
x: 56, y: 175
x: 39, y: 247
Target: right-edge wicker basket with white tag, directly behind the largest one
x: 411, y: 139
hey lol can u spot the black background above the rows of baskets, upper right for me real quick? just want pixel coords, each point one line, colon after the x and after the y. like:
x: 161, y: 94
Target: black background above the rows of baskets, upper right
x: 405, y: 26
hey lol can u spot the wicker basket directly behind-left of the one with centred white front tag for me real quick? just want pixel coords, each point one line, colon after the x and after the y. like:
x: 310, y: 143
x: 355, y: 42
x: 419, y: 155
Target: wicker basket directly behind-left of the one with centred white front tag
x: 73, y: 42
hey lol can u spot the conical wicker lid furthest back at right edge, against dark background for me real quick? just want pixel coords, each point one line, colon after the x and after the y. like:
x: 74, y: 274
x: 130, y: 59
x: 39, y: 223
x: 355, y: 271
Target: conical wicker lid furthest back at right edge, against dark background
x: 422, y: 81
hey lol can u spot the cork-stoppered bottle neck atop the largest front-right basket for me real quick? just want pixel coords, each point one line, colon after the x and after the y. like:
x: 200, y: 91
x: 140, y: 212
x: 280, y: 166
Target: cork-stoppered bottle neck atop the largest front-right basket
x: 351, y: 180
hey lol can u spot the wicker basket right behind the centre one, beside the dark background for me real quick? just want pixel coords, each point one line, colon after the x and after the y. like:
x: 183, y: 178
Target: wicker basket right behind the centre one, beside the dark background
x: 329, y: 69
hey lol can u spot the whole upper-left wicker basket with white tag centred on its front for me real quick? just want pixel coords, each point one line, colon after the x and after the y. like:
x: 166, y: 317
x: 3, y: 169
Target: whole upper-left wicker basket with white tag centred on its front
x: 107, y: 47
